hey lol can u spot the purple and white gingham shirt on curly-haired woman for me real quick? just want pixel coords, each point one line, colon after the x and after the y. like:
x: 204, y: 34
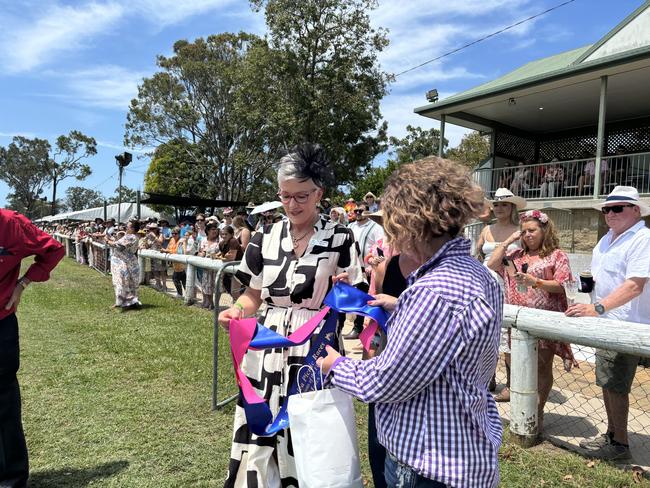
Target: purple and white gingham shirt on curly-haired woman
x: 434, y: 412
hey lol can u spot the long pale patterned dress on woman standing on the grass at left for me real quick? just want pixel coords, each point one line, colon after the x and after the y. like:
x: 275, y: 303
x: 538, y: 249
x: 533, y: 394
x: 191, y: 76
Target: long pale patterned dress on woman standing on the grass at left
x: 125, y: 271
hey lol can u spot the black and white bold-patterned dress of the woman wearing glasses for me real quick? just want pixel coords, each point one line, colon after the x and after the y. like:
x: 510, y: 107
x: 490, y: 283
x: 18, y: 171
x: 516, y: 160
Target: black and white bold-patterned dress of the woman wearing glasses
x: 293, y: 289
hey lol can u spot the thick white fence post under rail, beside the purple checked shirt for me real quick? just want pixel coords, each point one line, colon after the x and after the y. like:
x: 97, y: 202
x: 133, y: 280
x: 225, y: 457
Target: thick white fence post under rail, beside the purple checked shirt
x: 523, y: 389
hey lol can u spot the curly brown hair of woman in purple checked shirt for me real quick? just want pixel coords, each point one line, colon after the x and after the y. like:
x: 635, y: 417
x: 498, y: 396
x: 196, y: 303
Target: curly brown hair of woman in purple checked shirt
x: 427, y: 199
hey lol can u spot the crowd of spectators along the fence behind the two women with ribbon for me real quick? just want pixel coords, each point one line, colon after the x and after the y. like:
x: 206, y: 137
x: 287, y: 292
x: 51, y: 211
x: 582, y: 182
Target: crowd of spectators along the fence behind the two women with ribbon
x: 224, y: 235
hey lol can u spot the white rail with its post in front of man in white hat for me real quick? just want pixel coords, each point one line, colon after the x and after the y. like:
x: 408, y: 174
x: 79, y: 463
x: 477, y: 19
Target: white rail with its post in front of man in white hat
x: 528, y: 325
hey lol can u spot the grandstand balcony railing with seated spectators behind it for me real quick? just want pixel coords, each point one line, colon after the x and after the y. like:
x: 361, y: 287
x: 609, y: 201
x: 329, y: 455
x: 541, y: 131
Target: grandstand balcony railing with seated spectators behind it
x: 568, y: 179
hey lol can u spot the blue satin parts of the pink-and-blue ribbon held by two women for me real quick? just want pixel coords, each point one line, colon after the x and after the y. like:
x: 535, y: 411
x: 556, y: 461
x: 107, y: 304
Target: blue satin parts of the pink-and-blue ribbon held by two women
x: 341, y: 298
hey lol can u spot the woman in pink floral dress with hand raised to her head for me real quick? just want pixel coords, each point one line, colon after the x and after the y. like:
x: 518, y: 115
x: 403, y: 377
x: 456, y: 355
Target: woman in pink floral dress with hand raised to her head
x: 534, y: 278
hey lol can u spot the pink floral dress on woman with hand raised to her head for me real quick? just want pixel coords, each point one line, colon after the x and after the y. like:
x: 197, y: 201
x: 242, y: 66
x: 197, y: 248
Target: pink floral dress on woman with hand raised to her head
x: 556, y: 267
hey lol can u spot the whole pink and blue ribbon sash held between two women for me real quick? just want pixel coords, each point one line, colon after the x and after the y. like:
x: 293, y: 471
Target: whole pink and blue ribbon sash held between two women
x: 249, y: 334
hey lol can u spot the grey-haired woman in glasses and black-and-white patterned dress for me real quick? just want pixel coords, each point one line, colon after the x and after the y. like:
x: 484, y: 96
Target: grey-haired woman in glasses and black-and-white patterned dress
x: 289, y: 266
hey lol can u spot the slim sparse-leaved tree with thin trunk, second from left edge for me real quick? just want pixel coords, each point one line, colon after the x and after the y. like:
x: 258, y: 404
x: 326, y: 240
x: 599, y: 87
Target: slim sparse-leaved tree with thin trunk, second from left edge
x: 66, y: 160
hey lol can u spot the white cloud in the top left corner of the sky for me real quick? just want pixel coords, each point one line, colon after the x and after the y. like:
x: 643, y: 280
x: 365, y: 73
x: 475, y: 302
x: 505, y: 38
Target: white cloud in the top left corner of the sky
x: 58, y: 29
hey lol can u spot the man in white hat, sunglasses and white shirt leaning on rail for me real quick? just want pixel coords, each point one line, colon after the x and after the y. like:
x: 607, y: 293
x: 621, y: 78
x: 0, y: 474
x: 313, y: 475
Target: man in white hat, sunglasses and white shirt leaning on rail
x: 620, y: 266
